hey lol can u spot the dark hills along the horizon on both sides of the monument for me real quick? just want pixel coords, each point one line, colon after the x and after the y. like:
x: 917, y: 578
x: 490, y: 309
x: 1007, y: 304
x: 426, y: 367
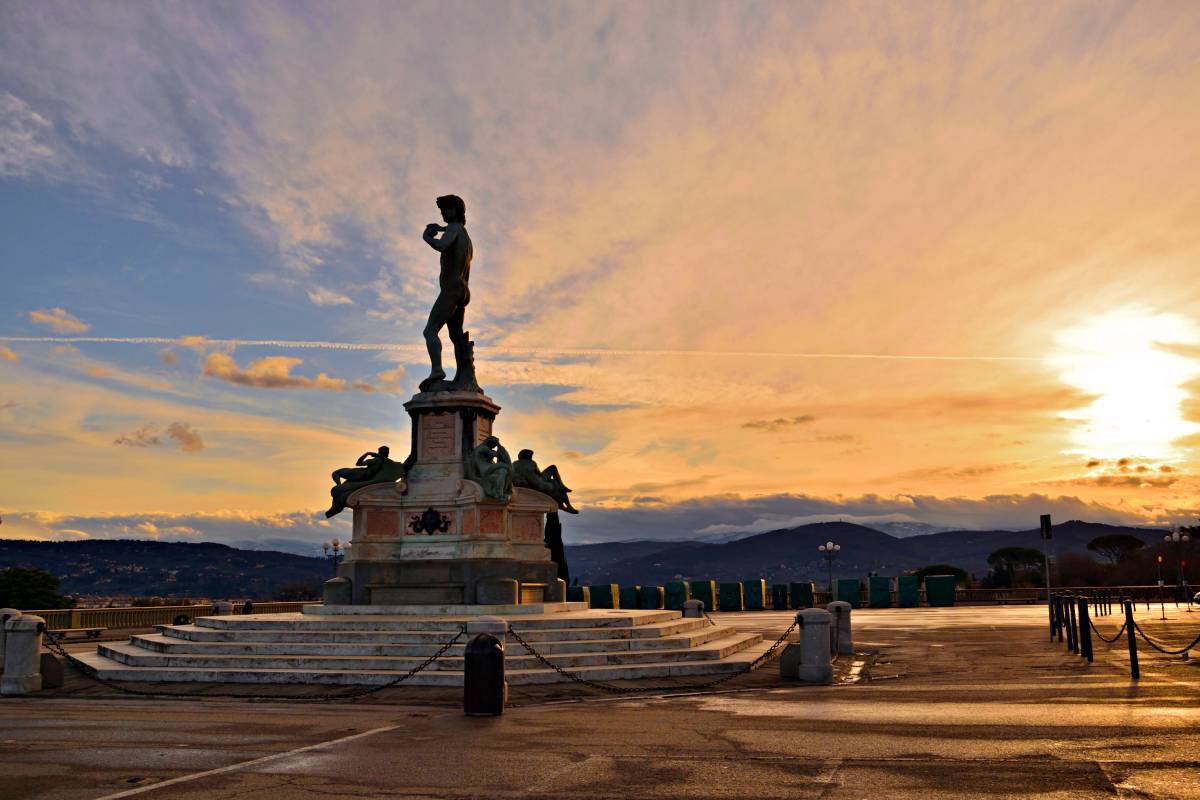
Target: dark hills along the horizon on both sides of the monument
x: 141, y: 568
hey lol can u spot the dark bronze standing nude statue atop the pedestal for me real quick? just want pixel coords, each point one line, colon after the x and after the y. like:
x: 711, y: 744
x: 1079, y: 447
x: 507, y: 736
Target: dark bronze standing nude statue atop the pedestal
x: 451, y: 308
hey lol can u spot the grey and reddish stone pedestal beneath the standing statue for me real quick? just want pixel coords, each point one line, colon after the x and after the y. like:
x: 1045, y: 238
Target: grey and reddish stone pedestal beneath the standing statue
x: 436, y: 538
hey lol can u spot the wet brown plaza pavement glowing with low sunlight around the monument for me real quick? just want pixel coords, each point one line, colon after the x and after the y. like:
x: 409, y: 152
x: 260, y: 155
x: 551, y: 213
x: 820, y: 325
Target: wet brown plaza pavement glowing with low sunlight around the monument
x: 965, y: 702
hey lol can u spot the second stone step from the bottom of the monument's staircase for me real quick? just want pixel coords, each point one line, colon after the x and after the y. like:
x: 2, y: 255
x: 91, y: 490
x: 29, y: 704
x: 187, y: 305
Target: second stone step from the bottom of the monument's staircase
x: 142, y: 652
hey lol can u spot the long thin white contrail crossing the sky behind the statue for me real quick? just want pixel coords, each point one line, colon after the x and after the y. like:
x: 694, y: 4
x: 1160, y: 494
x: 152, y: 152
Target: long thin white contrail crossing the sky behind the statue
x: 501, y: 350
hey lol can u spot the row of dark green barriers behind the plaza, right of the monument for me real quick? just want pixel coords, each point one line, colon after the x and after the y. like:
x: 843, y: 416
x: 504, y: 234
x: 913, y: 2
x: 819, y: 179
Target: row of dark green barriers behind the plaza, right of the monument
x: 753, y: 594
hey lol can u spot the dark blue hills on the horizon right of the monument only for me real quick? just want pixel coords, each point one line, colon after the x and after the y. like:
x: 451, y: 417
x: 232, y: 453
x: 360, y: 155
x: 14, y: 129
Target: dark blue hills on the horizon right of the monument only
x: 791, y: 555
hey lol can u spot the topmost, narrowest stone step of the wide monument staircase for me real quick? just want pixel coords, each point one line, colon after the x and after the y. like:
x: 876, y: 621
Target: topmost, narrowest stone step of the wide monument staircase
x: 595, y: 618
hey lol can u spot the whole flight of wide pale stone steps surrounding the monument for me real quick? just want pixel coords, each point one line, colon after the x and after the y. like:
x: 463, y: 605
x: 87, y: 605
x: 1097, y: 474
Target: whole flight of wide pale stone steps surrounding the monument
x: 328, y: 649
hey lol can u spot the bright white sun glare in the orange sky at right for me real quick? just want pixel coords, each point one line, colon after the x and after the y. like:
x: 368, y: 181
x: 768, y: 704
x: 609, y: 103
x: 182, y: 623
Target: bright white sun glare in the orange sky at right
x: 1139, y: 382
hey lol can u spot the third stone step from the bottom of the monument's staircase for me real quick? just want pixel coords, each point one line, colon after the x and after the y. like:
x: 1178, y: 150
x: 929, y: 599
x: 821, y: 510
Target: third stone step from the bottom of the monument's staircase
x: 175, y: 641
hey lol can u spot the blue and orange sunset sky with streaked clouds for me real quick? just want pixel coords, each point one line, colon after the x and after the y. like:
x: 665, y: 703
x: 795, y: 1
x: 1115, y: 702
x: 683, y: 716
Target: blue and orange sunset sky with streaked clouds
x: 739, y: 266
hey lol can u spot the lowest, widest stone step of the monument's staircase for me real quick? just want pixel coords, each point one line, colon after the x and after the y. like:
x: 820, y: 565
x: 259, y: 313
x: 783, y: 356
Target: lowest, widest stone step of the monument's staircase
x: 110, y: 670
